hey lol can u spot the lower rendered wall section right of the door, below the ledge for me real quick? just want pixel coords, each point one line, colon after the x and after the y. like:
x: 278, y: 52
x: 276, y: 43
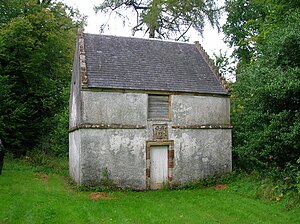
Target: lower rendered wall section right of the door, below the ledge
x: 201, y: 153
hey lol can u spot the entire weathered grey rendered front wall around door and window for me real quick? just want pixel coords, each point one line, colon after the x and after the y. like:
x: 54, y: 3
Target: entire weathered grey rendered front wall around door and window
x: 119, y: 146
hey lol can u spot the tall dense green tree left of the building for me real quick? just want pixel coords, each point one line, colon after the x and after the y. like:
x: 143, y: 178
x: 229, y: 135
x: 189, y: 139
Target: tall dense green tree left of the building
x: 37, y: 42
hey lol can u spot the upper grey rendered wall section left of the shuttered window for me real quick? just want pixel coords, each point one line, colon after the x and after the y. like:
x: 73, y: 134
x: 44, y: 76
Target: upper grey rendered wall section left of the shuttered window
x: 114, y: 108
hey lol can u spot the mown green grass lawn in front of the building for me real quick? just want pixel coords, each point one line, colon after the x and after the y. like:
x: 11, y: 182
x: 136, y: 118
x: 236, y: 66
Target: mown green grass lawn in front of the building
x: 30, y: 197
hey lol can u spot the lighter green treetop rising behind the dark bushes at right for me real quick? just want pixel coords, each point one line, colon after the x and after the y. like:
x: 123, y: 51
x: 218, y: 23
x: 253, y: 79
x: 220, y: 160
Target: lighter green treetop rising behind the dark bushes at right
x: 250, y: 21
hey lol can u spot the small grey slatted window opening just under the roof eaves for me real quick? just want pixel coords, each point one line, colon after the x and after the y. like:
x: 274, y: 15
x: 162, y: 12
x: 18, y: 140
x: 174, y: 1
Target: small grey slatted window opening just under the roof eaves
x: 158, y: 107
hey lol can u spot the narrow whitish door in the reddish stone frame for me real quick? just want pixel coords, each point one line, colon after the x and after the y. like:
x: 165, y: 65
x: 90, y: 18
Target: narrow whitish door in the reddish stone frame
x: 158, y: 166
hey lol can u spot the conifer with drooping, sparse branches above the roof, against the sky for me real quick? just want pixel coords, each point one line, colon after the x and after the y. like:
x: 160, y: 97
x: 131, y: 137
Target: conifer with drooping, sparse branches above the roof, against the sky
x: 166, y: 18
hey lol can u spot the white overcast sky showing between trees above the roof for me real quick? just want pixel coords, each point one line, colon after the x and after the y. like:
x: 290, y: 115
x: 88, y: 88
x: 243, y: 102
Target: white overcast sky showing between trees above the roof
x: 211, y: 42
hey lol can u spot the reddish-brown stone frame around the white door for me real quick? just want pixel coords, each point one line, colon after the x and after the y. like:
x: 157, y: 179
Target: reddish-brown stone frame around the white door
x: 170, y: 144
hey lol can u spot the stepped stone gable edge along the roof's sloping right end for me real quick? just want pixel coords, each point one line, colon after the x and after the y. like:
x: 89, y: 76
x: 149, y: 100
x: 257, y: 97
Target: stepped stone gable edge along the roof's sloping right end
x: 212, y: 65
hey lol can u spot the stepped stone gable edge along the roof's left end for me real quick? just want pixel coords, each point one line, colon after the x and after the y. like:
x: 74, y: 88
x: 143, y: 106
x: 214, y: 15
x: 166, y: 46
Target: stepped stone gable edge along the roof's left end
x: 82, y: 58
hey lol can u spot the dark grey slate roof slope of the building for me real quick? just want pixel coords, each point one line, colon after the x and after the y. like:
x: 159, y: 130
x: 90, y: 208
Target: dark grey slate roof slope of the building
x: 143, y: 64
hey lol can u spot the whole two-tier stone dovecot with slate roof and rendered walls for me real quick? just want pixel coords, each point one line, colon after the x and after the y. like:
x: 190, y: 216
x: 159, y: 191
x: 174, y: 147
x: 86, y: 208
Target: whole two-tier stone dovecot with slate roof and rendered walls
x: 145, y: 113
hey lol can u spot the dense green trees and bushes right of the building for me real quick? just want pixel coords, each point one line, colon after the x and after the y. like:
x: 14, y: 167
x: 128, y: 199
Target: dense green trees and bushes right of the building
x: 266, y: 95
